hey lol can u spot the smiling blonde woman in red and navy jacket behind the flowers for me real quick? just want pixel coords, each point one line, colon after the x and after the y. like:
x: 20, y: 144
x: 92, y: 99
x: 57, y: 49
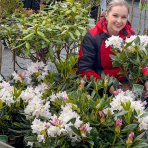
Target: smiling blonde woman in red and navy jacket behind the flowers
x: 94, y: 57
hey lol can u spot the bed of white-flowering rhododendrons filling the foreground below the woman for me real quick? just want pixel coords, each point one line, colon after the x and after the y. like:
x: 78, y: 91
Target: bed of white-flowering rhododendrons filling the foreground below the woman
x: 59, y: 116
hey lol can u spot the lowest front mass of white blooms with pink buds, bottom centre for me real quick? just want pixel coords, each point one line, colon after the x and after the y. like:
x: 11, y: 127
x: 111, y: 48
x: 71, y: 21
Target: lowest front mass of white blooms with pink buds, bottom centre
x: 61, y: 125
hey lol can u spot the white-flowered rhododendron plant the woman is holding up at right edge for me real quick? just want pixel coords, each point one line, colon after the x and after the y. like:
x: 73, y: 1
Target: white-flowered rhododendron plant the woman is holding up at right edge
x: 130, y: 54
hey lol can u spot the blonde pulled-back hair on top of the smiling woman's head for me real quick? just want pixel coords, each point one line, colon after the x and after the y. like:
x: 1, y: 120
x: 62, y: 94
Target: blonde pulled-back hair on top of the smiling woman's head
x: 117, y: 3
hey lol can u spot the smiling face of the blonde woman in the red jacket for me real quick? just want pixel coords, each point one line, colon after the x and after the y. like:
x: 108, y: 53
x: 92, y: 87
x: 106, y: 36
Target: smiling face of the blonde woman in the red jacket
x: 117, y: 19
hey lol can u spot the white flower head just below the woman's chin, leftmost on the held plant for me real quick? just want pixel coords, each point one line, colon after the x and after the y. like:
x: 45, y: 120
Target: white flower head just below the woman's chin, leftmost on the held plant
x: 114, y: 42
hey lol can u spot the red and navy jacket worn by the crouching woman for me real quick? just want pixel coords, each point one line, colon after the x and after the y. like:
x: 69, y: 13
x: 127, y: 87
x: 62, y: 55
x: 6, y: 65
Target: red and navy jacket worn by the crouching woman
x: 94, y: 57
